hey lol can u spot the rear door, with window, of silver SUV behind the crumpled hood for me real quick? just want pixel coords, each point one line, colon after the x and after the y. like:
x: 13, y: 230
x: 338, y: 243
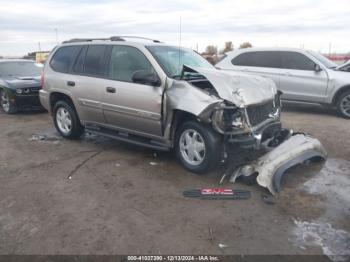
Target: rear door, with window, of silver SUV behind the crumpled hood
x: 263, y: 63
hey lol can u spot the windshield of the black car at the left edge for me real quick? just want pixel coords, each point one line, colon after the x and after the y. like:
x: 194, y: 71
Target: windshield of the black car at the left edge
x: 20, y: 69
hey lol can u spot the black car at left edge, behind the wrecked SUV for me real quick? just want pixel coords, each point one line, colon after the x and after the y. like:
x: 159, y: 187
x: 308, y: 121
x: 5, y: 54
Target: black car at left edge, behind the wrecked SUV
x: 19, y: 85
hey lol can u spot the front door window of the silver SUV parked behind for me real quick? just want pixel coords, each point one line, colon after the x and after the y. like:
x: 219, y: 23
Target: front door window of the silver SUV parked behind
x: 297, y: 61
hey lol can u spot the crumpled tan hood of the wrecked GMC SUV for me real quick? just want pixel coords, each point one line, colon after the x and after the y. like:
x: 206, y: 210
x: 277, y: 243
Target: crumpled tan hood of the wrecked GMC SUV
x: 238, y: 88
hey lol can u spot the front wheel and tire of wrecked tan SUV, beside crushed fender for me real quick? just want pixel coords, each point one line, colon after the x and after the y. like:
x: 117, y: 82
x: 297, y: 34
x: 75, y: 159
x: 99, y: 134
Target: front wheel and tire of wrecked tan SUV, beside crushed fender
x: 193, y: 136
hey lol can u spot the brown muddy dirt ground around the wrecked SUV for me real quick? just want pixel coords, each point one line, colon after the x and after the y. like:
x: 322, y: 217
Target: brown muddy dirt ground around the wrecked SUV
x: 98, y: 196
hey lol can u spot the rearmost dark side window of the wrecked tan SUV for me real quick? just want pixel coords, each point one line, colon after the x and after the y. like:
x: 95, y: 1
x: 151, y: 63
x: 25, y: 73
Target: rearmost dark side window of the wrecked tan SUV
x: 64, y: 58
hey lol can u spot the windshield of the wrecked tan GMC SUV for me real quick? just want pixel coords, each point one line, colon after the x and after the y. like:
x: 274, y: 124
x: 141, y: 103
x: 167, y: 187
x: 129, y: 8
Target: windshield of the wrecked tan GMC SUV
x: 172, y: 59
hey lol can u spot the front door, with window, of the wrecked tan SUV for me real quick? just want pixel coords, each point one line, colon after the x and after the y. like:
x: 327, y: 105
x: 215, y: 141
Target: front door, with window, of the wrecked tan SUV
x: 129, y: 106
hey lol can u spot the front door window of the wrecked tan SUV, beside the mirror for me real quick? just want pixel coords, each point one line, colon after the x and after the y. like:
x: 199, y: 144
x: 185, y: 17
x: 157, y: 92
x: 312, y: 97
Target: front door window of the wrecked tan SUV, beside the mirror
x: 125, y: 61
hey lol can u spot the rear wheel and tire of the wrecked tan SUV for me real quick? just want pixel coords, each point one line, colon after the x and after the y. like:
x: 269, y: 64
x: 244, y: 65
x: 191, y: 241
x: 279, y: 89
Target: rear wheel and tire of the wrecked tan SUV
x: 67, y: 121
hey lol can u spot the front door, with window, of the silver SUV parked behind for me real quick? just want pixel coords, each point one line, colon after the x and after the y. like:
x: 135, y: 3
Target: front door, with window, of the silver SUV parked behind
x: 299, y: 81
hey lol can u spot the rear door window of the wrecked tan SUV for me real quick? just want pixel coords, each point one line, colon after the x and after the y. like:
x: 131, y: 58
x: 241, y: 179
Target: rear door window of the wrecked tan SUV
x: 94, y: 60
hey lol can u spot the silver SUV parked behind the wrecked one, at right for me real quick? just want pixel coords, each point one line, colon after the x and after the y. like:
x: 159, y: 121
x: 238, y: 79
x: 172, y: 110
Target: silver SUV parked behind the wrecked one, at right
x: 302, y: 76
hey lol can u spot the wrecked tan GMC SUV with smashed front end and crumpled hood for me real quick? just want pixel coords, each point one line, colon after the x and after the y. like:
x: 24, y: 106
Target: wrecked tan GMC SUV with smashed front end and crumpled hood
x: 152, y: 94
